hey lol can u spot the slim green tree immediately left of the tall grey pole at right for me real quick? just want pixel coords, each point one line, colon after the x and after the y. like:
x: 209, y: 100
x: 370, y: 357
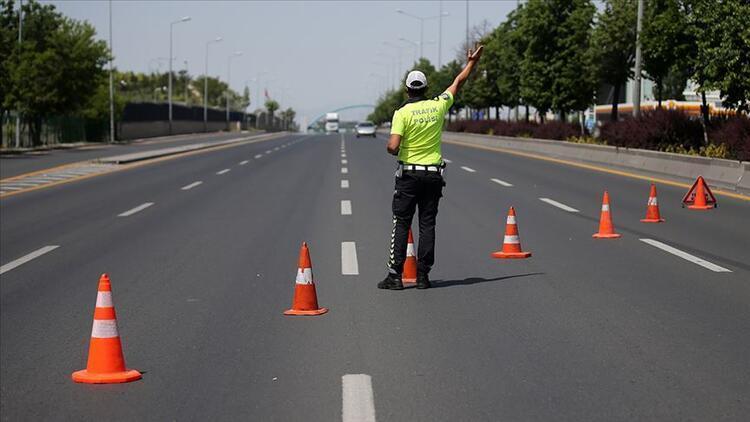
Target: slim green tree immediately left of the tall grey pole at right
x: 613, y: 46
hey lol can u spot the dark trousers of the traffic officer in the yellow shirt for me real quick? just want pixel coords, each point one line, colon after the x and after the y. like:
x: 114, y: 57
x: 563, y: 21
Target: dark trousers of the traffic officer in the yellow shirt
x: 415, y: 190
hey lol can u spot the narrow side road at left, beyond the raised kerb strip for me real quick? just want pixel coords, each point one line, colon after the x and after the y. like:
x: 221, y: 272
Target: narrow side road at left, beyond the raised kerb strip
x: 17, y: 164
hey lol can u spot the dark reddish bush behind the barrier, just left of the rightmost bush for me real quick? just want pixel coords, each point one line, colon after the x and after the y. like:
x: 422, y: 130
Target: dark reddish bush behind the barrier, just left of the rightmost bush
x: 655, y: 130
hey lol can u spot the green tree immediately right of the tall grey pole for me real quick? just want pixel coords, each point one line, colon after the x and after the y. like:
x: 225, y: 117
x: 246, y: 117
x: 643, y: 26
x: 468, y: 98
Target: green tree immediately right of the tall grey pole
x: 668, y: 45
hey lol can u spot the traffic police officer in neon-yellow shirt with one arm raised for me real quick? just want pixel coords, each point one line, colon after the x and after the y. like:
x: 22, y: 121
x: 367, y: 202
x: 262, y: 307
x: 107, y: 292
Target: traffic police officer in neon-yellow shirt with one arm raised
x: 416, y: 138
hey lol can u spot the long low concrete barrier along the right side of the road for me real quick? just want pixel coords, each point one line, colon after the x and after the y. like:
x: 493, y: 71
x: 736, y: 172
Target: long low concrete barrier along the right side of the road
x: 727, y: 174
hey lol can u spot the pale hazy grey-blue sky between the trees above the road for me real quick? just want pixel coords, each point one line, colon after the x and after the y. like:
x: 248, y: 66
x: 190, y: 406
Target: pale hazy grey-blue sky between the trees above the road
x: 318, y: 55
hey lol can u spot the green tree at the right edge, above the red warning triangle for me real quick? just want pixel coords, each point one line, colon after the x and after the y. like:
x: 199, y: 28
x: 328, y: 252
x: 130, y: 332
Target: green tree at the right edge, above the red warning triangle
x: 722, y: 58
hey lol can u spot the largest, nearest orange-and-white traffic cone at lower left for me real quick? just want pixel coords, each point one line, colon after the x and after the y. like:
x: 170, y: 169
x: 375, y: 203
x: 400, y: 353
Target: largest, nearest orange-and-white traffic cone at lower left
x: 106, y: 364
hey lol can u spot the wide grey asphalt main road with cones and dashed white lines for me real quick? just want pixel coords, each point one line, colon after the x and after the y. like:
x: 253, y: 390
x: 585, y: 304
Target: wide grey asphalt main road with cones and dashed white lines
x: 584, y: 330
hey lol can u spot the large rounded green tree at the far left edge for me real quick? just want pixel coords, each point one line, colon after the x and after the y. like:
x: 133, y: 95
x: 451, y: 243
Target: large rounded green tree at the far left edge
x: 56, y: 69
